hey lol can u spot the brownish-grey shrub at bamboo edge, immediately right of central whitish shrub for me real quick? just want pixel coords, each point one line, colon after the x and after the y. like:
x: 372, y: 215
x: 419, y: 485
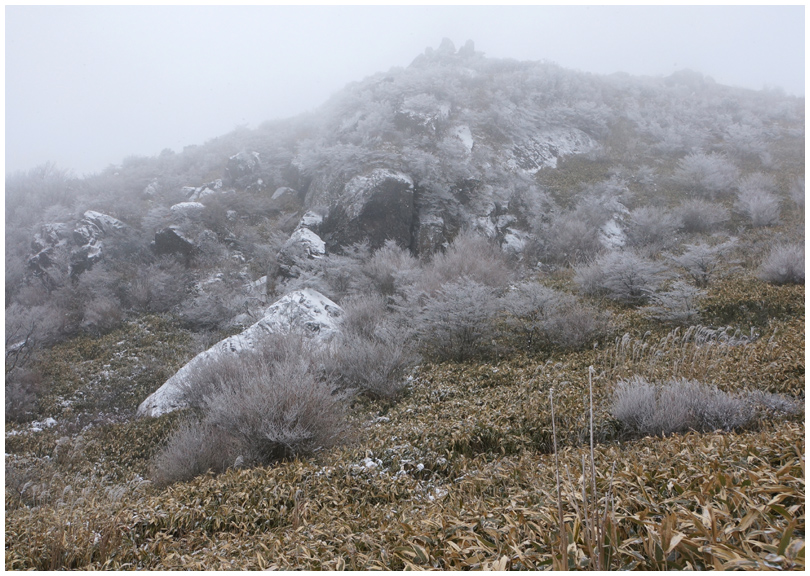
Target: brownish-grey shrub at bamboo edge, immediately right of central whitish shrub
x: 542, y: 316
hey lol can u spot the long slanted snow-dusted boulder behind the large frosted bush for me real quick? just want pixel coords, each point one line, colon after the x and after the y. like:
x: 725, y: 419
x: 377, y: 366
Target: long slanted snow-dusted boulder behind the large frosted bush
x: 305, y: 311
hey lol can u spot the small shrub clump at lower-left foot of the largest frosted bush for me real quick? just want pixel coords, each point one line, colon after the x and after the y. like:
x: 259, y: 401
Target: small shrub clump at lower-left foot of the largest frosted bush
x: 195, y: 448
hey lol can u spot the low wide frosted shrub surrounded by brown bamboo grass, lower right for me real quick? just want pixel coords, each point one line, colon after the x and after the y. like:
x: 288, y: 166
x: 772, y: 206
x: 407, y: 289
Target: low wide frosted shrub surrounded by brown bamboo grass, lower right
x: 678, y: 405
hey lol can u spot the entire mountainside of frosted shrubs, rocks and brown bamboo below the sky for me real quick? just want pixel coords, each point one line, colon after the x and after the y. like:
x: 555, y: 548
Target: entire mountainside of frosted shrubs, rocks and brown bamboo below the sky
x: 570, y: 334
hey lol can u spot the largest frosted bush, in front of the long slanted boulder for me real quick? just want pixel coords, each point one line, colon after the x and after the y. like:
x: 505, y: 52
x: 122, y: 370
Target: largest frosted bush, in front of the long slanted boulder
x: 263, y: 405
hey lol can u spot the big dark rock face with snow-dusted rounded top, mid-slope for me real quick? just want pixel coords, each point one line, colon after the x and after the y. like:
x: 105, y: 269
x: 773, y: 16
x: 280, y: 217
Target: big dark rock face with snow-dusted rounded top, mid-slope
x: 378, y: 206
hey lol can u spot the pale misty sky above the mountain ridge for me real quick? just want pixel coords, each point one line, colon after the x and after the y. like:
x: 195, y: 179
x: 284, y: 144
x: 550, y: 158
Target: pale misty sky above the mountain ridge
x: 88, y: 86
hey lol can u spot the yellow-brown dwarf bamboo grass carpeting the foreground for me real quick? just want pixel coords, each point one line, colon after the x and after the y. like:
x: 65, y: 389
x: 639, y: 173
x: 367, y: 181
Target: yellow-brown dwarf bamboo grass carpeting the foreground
x: 459, y: 473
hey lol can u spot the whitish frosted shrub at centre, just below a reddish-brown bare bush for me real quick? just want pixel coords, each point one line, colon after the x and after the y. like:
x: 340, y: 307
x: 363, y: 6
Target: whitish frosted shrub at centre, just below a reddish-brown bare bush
x: 457, y: 321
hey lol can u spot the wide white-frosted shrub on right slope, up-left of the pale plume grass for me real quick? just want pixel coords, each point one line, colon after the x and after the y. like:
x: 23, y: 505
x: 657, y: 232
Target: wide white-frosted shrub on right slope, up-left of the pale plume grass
x: 622, y: 276
